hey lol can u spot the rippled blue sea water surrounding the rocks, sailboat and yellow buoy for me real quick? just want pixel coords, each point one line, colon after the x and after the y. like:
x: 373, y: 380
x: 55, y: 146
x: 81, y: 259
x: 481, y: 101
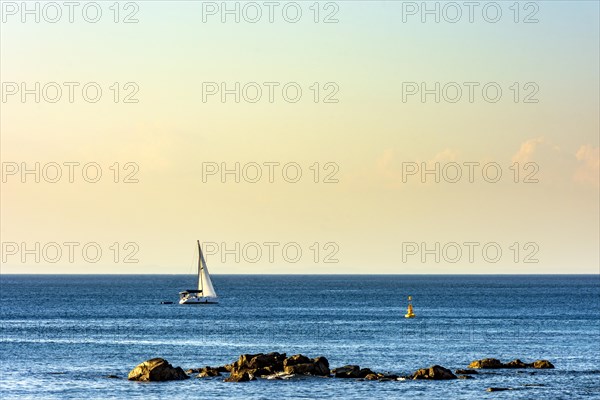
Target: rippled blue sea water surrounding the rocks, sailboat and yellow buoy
x: 62, y: 335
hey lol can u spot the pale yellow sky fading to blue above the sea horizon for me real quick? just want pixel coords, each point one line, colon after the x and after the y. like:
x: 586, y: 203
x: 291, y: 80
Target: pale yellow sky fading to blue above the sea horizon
x: 329, y: 179
